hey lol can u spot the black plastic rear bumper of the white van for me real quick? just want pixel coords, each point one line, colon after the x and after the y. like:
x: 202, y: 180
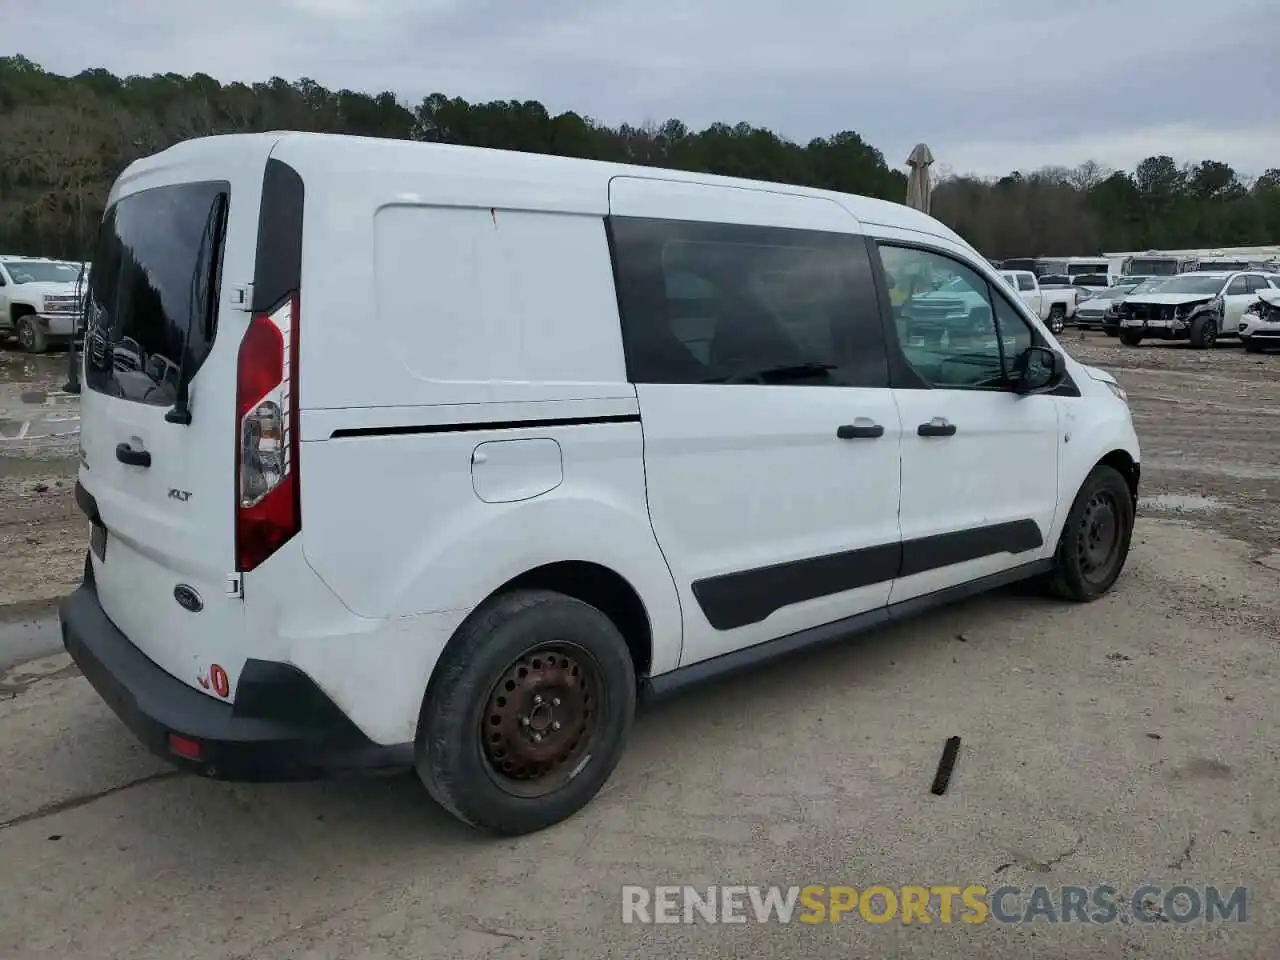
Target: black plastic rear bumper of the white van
x: 282, y: 728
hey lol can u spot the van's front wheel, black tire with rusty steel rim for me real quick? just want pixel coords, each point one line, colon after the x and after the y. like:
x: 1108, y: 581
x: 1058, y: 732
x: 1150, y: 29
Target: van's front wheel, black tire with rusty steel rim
x: 1087, y: 563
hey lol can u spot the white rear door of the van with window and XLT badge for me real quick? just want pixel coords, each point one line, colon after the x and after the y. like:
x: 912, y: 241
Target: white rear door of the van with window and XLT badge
x: 159, y: 473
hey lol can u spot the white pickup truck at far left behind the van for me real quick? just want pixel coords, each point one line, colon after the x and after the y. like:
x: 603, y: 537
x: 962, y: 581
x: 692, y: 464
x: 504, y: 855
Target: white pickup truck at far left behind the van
x: 38, y: 301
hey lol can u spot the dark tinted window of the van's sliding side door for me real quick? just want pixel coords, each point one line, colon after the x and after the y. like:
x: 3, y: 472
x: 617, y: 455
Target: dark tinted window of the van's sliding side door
x: 747, y: 305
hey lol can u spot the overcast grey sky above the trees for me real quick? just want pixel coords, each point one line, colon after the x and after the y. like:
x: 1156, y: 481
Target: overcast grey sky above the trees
x: 991, y: 85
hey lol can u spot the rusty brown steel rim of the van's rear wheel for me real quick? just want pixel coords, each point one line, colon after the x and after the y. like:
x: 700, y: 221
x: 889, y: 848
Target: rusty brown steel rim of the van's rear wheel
x: 542, y: 720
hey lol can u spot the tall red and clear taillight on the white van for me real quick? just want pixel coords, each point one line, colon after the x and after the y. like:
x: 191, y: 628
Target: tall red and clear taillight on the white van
x: 268, y: 508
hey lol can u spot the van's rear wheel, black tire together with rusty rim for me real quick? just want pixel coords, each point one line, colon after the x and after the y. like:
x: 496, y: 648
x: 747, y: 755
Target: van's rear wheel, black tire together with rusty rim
x: 474, y: 742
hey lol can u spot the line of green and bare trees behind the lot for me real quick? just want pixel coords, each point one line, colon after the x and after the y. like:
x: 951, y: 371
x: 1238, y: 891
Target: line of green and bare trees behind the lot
x: 63, y: 141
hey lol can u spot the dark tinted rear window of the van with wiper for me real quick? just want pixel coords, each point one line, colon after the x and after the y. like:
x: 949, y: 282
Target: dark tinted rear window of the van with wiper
x: 153, y: 300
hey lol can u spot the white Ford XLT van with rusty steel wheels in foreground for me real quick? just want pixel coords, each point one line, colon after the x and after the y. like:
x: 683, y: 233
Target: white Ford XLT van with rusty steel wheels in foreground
x: 415, y: 455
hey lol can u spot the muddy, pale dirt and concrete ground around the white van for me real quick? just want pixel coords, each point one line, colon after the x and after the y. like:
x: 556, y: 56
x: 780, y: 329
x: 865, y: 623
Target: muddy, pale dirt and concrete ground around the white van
x: 1126, y: 743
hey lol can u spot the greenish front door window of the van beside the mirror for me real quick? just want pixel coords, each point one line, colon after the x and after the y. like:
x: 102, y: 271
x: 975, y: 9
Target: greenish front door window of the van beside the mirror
x: 956, y: 330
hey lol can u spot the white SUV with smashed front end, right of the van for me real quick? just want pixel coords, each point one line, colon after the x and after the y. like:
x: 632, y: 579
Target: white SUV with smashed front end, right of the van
x: 1197, y: 308
